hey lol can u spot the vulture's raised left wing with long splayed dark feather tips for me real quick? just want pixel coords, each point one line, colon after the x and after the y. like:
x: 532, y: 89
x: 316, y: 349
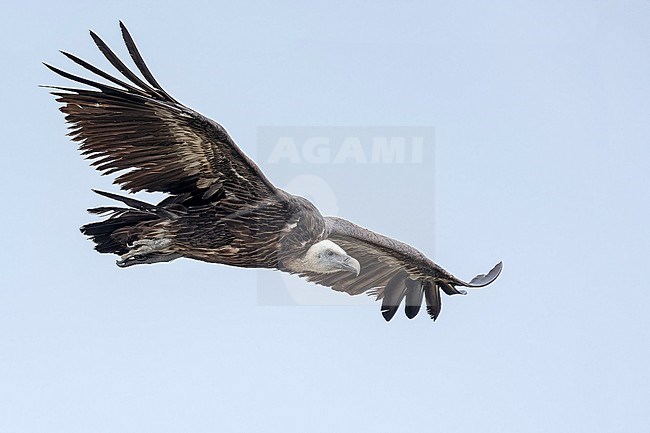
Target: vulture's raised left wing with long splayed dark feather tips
x: 158, y: 144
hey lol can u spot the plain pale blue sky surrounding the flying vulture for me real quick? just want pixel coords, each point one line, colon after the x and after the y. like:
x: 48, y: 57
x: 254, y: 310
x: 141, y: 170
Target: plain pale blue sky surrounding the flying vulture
x: 541, y: 115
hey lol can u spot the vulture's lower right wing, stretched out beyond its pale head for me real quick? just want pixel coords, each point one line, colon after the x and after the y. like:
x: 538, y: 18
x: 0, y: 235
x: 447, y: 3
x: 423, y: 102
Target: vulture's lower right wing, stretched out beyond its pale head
x: 393, y: 271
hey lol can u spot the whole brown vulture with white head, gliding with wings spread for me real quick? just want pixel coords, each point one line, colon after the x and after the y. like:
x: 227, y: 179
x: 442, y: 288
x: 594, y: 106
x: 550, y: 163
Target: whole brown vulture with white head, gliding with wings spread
x: 219, y: 206
